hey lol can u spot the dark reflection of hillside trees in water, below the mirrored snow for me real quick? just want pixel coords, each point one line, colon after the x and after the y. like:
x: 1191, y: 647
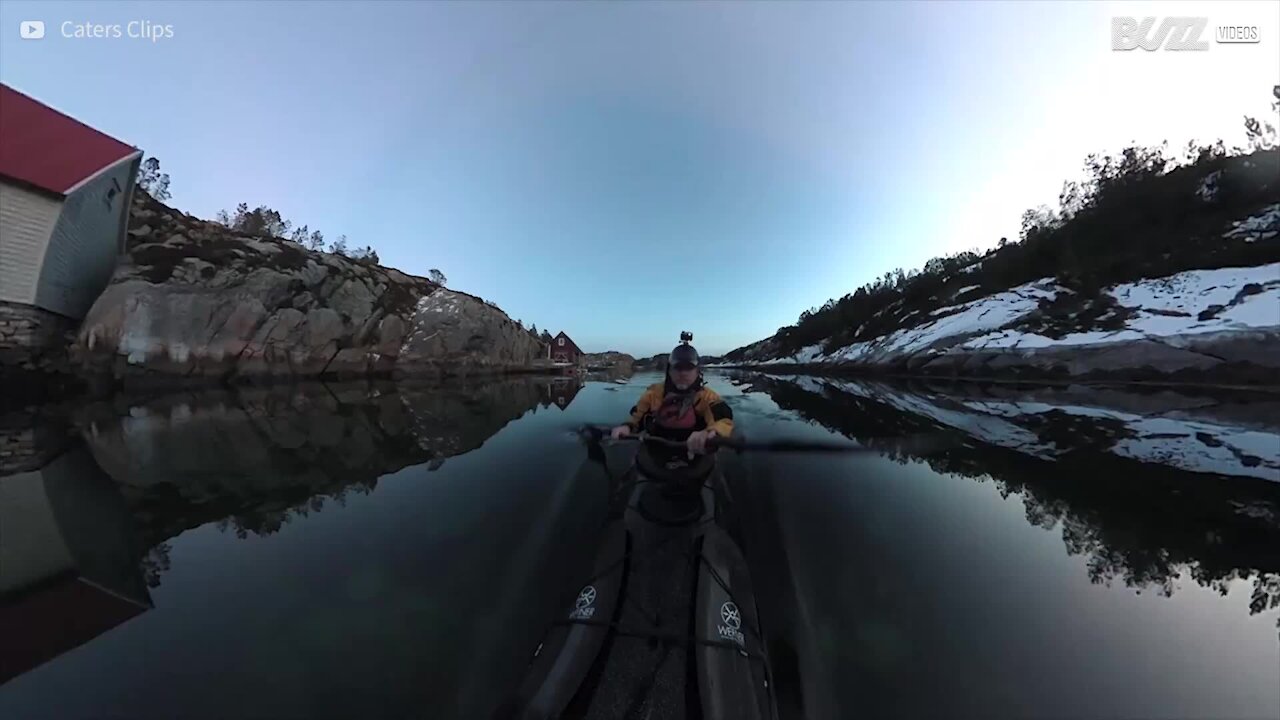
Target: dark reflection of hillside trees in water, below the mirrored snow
x: 1139, y: 525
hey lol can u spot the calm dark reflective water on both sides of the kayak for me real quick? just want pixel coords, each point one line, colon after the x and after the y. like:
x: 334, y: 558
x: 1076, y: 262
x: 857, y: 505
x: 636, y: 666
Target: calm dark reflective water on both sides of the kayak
x: 387, y: 552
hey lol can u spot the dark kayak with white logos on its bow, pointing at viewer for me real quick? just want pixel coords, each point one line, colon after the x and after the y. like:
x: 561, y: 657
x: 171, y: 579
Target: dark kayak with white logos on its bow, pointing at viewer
x: 666, y: 623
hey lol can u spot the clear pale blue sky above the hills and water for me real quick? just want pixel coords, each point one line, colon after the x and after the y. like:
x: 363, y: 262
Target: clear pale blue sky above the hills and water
x: 629, y: 171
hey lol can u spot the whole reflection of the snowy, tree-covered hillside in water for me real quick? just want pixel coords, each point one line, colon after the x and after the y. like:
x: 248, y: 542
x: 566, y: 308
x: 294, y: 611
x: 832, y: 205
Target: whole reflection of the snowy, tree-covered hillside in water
x: 1085, y: 464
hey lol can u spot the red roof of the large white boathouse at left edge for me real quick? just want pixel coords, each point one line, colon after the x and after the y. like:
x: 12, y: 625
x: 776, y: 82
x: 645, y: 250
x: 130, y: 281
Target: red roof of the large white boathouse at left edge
x: 48, y: 149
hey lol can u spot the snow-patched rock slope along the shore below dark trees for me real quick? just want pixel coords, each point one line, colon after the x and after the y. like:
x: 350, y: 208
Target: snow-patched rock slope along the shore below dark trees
x: 1195, y: 321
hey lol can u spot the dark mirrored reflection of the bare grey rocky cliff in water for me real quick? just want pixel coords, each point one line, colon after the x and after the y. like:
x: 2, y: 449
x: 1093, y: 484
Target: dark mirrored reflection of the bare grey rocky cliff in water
x: 254, y: 459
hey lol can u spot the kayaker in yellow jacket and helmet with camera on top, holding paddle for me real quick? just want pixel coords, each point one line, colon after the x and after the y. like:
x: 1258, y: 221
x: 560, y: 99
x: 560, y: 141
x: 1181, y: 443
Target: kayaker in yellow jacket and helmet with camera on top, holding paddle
x: 682, y: 407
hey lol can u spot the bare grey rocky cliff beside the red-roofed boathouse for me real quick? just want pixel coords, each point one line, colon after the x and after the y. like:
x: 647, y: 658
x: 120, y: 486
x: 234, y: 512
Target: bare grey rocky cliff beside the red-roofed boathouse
x: 195, y: 300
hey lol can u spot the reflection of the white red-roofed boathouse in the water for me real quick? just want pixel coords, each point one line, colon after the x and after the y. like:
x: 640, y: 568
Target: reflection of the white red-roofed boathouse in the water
x: 68, y: 562
